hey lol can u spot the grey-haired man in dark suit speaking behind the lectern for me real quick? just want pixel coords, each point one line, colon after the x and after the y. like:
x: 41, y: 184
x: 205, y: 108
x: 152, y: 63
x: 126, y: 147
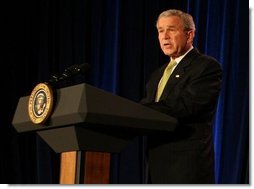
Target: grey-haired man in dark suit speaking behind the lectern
x: 190, y: 94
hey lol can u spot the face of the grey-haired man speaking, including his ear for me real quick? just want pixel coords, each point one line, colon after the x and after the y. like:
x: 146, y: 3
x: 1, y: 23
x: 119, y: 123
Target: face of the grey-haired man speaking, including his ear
x: 174, y: 40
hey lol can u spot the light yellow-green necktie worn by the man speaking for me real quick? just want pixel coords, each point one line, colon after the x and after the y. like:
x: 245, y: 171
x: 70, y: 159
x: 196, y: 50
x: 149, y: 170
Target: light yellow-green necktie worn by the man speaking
x: 164, y: 79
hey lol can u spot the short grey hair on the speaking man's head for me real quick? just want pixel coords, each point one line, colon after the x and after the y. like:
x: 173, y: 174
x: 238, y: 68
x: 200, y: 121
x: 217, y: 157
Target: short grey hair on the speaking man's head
x: 188, y: 23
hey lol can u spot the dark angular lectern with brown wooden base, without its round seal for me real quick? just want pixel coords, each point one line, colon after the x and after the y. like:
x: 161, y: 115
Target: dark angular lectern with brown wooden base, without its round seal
x: 87, y: 125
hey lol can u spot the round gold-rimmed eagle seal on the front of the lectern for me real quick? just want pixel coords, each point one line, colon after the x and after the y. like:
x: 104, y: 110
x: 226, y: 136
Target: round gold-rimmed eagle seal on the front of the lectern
x: 40, y: 103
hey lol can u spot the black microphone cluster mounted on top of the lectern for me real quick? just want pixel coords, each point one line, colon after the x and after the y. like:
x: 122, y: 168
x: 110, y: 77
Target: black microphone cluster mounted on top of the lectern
x: 69, y: 72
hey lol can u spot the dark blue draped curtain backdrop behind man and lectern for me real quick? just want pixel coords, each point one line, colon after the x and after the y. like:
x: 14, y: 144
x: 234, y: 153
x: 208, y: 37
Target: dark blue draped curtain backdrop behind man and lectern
x: 119, y: 40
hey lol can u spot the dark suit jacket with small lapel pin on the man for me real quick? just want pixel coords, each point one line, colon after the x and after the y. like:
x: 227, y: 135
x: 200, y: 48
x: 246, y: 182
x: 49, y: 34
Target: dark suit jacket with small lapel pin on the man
x: 190, y: 95
